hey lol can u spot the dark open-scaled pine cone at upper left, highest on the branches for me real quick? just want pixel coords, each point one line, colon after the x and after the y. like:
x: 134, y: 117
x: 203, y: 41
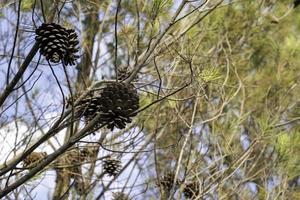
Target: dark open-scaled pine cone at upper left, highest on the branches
x: 57, y: 43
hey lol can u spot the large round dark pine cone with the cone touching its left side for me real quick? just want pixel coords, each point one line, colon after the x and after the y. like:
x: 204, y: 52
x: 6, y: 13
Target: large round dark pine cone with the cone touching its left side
x: 116, y: 102
